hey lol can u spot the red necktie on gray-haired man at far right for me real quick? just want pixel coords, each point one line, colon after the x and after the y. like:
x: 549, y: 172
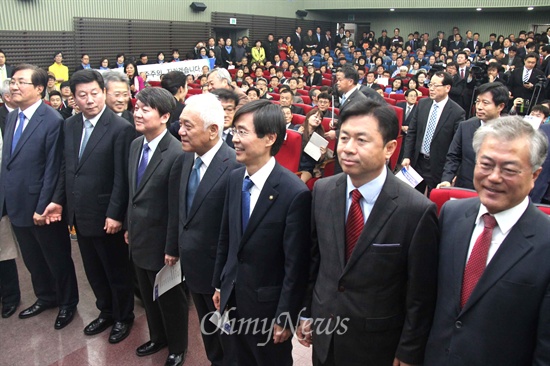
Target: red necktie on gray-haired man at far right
x: 478, y: 259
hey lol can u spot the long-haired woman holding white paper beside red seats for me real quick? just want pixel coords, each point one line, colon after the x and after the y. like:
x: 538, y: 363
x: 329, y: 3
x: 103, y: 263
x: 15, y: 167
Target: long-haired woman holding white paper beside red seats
x: 309, y: 166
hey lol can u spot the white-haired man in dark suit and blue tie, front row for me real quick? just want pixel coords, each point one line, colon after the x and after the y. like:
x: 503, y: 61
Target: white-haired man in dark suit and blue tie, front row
x: 207, y: 163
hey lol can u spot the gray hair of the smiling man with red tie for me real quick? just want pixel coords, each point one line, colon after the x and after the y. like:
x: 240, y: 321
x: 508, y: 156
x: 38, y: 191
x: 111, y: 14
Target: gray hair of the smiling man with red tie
x: 510, y: 128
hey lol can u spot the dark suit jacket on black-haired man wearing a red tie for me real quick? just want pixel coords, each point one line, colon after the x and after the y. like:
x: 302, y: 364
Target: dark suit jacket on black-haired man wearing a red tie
x: 387, y: 289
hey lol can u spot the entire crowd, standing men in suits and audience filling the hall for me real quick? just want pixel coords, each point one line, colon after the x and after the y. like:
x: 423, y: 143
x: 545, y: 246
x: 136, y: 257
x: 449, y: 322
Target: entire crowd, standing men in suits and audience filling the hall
x: 184, y: 173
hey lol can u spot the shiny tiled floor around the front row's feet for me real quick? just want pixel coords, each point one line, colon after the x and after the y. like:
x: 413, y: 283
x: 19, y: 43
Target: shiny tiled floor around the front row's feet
x: 34, y: 341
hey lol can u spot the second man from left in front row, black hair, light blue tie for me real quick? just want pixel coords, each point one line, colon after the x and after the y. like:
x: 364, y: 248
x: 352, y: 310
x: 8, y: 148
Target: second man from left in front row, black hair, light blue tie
x: 93, y: 191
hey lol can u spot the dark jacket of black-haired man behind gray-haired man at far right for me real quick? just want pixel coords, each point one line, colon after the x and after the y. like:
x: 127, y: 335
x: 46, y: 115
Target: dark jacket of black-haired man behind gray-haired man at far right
x: 461, y: 158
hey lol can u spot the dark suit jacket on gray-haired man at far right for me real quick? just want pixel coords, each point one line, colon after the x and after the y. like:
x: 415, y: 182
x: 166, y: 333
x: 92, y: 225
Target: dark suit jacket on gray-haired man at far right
x: 505, y: 321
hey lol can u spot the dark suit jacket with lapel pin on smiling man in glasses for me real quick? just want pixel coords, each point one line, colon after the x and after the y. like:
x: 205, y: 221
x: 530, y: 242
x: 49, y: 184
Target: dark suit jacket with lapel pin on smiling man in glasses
x: 266, y: 266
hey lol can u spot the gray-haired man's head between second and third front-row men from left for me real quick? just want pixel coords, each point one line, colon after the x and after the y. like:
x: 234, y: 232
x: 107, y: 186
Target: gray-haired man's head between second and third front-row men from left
x: 117, y: 87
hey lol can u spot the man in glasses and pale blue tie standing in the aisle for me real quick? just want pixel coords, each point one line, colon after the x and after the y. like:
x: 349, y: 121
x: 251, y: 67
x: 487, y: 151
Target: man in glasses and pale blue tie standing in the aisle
x: 431, y: 131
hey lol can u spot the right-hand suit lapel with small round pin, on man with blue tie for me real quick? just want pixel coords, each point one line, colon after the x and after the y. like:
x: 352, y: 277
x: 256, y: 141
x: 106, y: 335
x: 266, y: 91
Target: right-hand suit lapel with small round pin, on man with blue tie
x: 267, y: 197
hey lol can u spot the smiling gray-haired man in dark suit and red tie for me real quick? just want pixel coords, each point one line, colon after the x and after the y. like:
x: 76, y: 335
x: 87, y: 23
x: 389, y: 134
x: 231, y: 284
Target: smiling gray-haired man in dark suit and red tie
x: 493, y: 306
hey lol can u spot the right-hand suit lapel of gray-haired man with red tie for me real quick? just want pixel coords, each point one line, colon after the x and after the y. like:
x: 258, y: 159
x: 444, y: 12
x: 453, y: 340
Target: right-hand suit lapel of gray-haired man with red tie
x: 513, y: 248
